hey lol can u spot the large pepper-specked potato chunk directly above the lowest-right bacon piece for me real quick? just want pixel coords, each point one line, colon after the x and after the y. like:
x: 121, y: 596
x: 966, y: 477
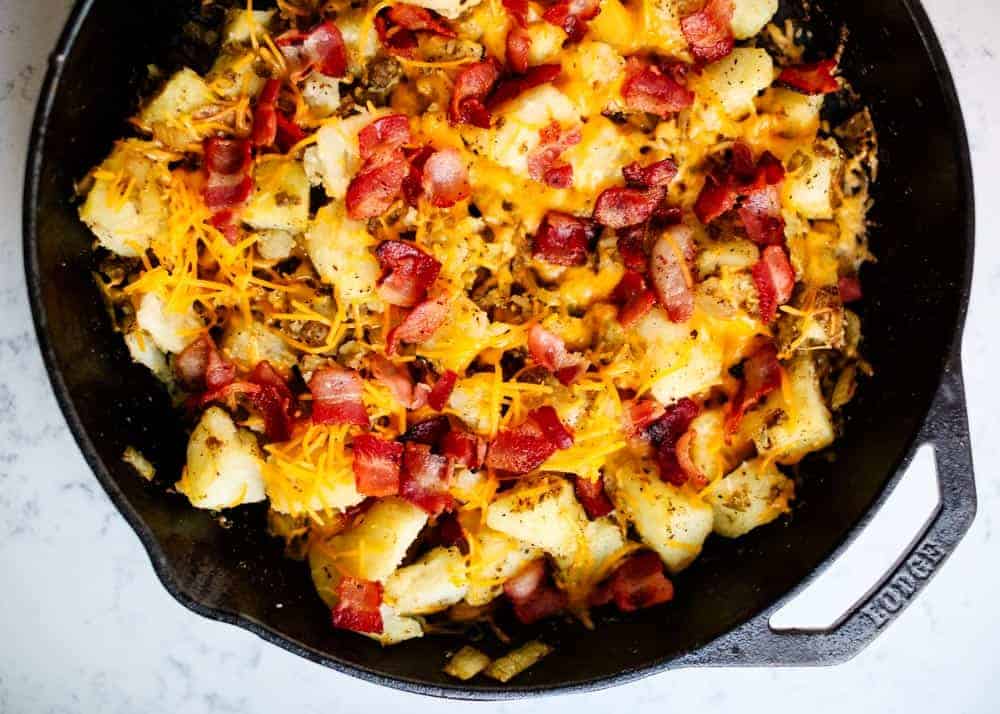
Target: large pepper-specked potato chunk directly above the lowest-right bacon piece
x: 672, y: 521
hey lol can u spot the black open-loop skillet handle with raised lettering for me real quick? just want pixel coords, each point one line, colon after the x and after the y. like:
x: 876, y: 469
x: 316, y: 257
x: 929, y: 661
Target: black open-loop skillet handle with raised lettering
x: 756, y: 643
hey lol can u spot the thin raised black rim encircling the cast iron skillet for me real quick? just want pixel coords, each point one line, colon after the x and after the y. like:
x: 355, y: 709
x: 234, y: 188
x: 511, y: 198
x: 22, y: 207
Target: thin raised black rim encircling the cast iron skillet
x: 148, y: 539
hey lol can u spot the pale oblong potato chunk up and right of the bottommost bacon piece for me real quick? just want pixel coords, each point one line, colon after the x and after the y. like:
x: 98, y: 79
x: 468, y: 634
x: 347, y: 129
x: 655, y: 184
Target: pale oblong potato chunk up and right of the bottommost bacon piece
x: 434, y: 583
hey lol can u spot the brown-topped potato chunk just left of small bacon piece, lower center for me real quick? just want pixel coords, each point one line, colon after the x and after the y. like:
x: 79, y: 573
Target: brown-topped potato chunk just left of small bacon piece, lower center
x: 541, y: 512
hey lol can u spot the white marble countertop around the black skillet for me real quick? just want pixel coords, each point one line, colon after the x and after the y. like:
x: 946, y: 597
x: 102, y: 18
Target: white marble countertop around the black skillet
x: 86, y: 627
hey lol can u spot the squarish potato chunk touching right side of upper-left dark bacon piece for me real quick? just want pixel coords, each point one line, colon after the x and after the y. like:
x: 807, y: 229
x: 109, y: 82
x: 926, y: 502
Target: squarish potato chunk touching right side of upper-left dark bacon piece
x: 280, y: 198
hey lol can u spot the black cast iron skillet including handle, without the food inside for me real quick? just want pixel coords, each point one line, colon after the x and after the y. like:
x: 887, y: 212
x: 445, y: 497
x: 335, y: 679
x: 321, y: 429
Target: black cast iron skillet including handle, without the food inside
x: 916, y: 297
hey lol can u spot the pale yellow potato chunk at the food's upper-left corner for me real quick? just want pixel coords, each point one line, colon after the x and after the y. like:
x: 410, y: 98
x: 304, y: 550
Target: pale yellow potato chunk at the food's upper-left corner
x: 173, y: 113
